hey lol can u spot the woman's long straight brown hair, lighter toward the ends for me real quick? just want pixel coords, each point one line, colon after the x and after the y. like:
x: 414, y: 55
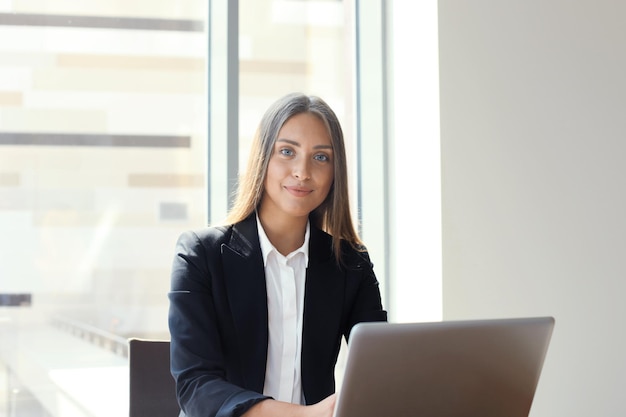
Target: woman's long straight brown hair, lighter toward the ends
x: 333, y: 215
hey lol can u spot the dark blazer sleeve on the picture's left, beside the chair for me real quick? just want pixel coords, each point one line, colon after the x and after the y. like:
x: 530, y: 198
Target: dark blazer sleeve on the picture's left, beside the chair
x: 197, y: 360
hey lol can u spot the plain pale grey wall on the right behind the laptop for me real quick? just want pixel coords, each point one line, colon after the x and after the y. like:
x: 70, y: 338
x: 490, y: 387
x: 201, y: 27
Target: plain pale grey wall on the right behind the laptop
x: 533, y: 111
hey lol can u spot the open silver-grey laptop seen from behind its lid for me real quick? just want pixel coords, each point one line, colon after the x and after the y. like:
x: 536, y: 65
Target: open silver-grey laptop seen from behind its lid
x: 483, y: 368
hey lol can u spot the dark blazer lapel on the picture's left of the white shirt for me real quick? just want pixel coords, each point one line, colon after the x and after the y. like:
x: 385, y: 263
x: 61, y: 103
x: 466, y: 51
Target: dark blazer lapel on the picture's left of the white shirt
x: 247, y: 295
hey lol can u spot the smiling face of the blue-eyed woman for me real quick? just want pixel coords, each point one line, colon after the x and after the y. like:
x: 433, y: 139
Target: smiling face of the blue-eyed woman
x: 300, y: 172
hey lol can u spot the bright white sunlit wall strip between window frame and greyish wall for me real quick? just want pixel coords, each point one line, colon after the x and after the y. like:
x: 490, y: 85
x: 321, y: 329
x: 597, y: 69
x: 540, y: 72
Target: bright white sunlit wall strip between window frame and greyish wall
x: 415, y: 169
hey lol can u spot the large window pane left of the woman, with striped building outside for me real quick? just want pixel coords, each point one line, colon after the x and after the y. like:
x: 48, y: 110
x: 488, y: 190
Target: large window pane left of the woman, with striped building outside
x: 103, y: 149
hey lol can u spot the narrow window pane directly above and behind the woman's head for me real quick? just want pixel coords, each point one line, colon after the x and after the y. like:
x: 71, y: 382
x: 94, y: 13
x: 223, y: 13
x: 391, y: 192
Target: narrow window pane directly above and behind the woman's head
x: 295, y: 46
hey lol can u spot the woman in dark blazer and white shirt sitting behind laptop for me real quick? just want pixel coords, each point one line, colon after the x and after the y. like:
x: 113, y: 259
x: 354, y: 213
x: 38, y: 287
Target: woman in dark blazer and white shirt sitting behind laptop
x: 258, y: 306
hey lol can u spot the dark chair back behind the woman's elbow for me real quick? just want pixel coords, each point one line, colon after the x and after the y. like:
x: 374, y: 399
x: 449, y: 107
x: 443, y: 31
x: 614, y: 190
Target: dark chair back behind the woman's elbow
x: 152, y: 388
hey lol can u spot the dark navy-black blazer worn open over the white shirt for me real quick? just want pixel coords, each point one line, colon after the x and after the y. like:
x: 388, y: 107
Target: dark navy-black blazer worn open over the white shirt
x: 218, y: 317
